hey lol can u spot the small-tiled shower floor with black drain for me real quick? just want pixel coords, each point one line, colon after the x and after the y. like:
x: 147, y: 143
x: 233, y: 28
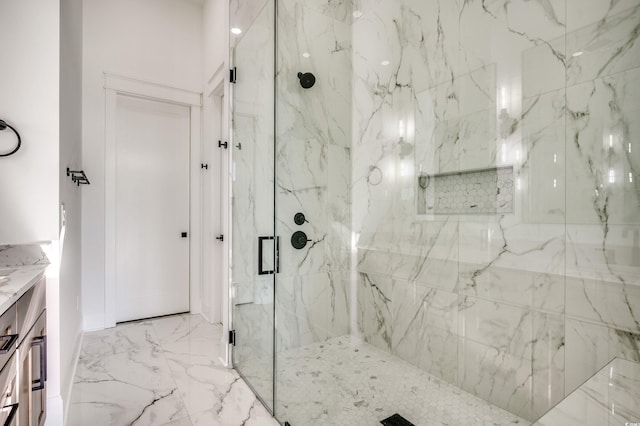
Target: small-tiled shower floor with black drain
x: 344, y: 381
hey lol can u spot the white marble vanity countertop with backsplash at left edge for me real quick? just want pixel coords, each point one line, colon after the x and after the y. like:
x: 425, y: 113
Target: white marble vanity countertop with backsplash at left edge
x: 21, y: 267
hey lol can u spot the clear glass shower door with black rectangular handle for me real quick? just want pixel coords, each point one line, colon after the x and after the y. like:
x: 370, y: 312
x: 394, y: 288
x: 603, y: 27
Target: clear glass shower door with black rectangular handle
x: 253, y: 255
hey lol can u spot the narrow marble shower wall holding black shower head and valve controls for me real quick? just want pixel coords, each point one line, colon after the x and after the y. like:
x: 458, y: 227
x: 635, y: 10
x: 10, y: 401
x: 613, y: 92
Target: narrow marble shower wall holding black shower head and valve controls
x: 313, y: 170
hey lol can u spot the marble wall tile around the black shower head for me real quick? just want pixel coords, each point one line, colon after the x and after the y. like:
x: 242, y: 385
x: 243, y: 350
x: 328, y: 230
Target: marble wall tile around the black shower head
x: 310, y: 41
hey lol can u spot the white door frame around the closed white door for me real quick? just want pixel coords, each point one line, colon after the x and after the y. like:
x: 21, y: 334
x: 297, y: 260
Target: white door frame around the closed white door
x: 116, y: 85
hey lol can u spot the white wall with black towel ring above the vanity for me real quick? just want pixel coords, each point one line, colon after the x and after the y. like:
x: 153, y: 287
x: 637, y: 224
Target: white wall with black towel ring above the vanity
x: 29, y: 70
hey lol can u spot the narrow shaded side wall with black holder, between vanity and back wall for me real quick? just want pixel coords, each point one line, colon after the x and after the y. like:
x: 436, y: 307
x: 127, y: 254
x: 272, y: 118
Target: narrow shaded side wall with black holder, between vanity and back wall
x: 69, y: 327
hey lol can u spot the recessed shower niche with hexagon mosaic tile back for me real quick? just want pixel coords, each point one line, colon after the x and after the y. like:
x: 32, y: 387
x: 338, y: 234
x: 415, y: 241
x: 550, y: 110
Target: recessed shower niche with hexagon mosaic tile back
x: 486, y: 191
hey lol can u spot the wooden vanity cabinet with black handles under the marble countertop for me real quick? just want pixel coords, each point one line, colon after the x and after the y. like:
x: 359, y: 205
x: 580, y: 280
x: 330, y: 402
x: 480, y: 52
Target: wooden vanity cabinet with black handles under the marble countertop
x: 24, y: 372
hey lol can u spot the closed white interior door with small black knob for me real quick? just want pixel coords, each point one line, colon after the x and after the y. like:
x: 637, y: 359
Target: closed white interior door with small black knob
x: 152, y: 208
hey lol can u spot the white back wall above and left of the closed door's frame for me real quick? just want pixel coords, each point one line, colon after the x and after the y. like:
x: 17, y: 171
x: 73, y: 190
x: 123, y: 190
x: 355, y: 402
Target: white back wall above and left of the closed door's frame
x: 153, y: 40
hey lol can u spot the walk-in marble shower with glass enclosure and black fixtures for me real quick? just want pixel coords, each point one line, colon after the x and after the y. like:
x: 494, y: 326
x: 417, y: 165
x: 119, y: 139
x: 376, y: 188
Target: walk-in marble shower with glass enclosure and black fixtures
x: 468, y: 176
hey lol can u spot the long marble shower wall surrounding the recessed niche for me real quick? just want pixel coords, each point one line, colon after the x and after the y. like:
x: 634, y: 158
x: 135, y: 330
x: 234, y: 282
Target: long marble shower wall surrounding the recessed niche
x: 520, y: 308
